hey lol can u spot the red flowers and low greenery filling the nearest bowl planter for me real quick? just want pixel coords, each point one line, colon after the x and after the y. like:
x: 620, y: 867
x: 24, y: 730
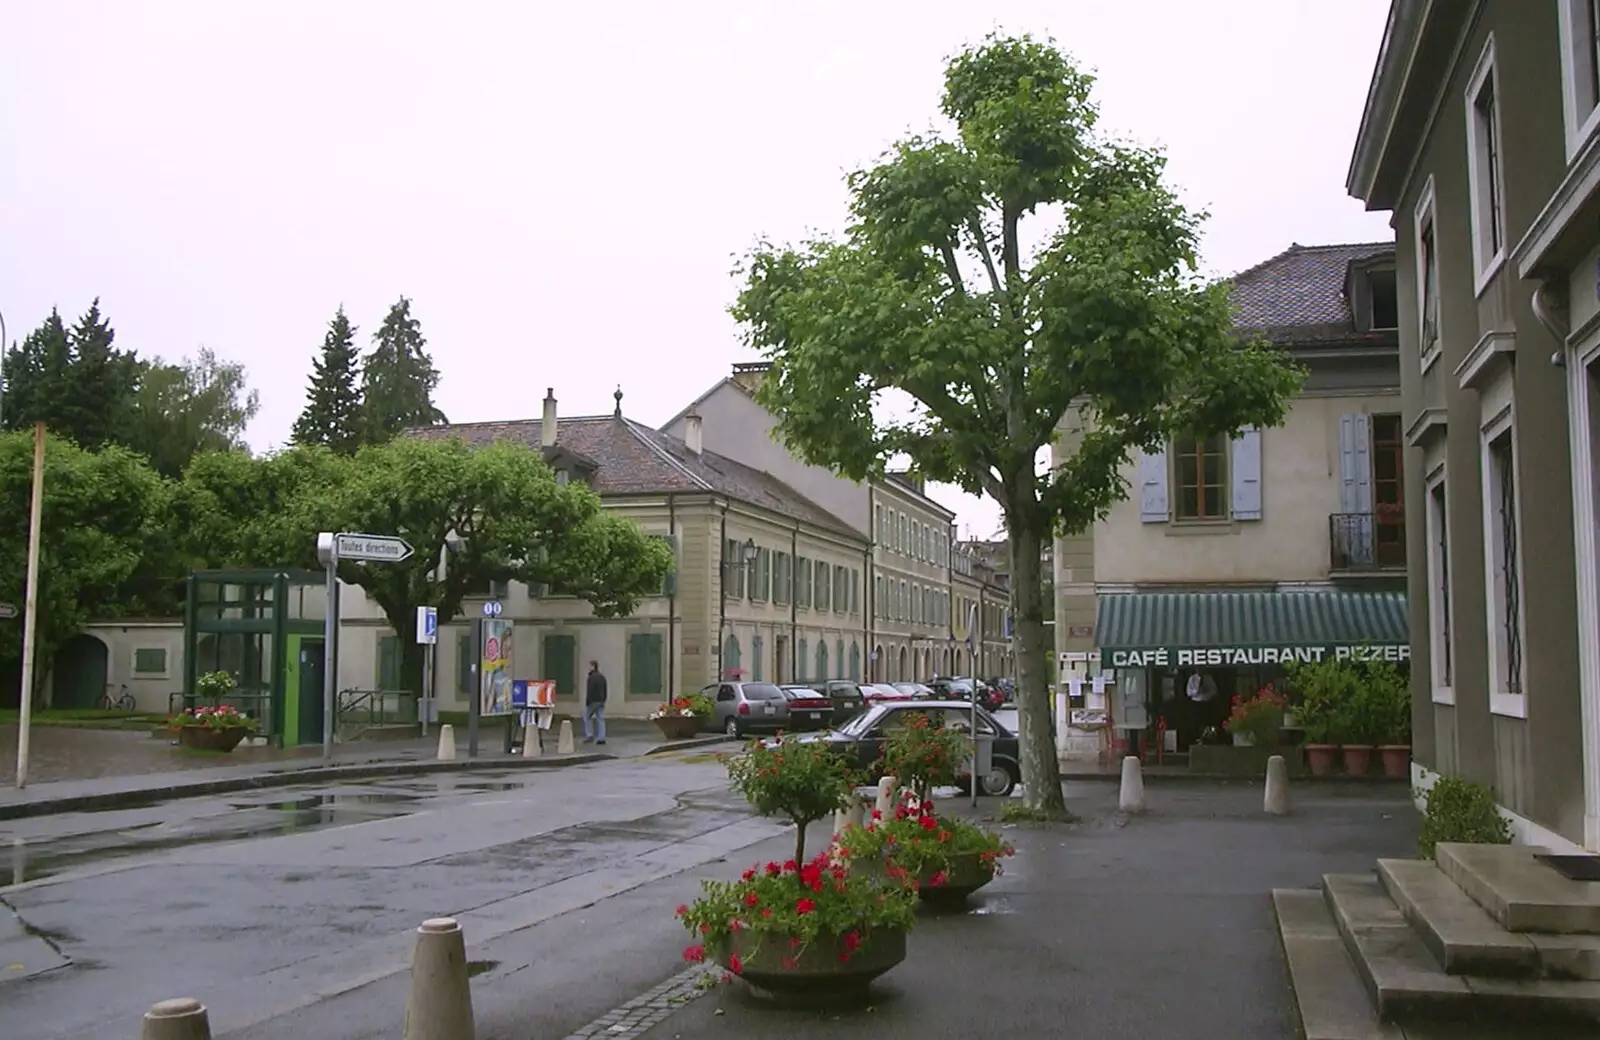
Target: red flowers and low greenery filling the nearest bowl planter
x: 794, y: 905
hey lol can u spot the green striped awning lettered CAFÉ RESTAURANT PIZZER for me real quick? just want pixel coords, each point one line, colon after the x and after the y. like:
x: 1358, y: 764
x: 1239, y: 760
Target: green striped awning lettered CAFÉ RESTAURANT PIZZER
x: 1188, y: 630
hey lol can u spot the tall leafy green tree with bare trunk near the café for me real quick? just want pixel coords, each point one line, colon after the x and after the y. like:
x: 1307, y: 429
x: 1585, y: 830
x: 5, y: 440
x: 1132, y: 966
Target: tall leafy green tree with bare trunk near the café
x: 940, y: 292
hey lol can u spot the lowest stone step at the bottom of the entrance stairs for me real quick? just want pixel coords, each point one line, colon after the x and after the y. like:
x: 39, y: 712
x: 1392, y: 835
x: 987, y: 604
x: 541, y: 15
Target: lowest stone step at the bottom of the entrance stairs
x: 1329, y: 994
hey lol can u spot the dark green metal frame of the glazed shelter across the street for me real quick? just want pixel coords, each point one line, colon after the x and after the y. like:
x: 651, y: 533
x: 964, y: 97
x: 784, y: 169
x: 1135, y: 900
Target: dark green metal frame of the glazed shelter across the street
x: 271, y: 620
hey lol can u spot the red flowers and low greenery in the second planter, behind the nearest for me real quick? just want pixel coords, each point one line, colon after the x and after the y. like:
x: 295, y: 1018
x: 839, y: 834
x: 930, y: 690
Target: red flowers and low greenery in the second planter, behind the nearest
x: 918, y: 844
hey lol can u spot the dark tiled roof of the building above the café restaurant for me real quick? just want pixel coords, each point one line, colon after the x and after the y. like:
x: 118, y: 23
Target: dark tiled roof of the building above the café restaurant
x: 1298, y: 295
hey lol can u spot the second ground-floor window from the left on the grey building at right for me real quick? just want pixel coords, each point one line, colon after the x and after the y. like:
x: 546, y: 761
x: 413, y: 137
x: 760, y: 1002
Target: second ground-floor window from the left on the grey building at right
x: 1505, y: 564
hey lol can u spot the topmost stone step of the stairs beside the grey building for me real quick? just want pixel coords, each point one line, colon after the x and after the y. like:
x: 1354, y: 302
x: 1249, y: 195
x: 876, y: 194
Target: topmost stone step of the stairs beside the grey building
x: 1519, y: 892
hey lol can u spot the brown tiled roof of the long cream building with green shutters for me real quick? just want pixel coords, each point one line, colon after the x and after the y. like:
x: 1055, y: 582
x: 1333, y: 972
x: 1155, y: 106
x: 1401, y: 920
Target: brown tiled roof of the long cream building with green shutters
x: 633, y: 458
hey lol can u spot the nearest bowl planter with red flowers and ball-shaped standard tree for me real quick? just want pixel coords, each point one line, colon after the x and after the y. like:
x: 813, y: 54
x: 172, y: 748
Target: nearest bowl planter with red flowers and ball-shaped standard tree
x: 806, y: 924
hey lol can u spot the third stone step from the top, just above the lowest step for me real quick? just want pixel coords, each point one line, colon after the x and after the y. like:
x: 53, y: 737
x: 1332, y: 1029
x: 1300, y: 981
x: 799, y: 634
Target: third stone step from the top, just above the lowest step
x: 1407, y: 985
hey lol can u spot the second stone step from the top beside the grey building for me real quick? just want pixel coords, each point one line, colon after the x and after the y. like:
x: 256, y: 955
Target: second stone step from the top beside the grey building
x: 1466, y: 940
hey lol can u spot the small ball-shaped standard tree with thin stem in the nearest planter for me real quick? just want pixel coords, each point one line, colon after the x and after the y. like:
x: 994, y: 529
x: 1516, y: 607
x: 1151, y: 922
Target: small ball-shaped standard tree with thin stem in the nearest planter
x: 802, y: 782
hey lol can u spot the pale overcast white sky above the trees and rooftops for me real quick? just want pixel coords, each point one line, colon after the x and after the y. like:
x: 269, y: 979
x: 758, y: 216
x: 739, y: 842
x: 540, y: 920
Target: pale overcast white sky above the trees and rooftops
x: 564, y: 190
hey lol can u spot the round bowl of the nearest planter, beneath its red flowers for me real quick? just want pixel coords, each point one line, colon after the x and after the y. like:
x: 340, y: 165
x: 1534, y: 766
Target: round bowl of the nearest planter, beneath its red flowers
x: 823, y: 967
